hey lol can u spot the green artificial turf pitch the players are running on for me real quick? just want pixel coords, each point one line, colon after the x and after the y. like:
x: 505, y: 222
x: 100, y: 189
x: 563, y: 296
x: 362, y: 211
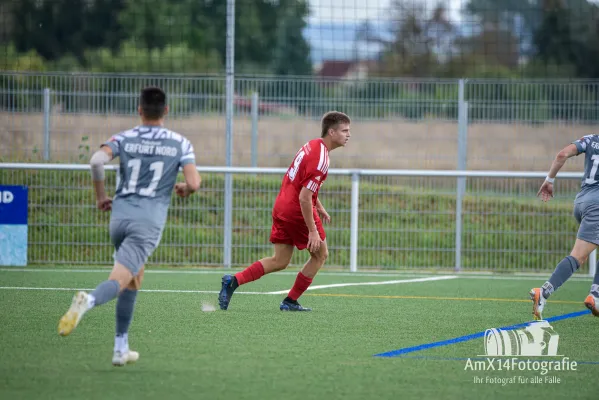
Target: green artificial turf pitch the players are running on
x: 254, y: 351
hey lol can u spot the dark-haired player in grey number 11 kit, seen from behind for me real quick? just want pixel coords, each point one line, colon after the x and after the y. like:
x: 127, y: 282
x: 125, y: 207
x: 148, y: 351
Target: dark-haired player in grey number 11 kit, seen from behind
x: 149, y: 160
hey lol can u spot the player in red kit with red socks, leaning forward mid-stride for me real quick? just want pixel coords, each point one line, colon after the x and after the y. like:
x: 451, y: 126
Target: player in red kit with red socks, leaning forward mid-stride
x: 297, y: 216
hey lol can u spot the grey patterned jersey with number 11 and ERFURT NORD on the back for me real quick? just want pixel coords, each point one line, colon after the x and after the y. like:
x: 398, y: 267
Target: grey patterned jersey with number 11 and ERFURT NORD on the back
x: 150, y: 157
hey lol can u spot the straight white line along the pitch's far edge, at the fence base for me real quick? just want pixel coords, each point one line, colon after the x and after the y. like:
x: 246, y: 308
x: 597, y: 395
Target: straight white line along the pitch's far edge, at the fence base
x: 461, y: 275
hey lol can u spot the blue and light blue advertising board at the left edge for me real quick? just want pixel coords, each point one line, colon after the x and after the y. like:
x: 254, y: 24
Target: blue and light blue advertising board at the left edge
x: 13, y: 225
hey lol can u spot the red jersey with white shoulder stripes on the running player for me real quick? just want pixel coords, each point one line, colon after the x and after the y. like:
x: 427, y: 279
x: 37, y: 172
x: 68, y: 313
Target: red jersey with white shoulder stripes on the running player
x: 309, y: 169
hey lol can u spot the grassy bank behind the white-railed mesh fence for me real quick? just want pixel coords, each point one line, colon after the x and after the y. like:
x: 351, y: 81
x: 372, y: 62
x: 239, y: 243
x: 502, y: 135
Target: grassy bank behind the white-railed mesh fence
x: 403, y: 222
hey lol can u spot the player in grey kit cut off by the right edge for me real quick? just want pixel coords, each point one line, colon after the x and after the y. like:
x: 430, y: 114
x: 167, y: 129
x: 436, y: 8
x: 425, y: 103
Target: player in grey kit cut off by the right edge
x: 586, y: 212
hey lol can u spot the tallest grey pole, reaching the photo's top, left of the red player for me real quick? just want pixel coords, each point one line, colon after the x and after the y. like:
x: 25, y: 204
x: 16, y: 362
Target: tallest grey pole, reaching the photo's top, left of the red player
x: 230, y: 93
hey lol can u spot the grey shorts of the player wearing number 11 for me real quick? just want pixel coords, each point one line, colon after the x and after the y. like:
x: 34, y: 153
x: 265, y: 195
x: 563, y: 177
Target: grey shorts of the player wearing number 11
x: 134, y: 242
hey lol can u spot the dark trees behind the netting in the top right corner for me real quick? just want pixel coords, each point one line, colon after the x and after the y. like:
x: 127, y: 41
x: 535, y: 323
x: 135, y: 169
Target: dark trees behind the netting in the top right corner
x: 560, y: 34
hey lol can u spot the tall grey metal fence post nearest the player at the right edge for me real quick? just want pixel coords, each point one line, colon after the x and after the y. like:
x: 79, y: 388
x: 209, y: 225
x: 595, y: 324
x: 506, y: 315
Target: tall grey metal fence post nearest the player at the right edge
x: 462, y: 160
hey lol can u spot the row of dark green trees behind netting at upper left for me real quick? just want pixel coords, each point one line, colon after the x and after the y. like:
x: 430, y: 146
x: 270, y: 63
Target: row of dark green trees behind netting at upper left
x: 268, y: 33
